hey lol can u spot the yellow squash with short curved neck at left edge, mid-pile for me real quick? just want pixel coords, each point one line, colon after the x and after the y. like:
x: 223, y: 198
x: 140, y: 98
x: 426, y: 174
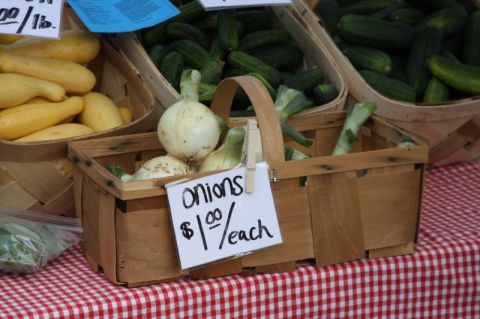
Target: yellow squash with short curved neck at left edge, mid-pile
x: 16, y: 89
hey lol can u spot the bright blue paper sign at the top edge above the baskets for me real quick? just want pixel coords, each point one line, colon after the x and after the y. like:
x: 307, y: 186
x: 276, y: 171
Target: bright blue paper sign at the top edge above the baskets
x: 111, y: 16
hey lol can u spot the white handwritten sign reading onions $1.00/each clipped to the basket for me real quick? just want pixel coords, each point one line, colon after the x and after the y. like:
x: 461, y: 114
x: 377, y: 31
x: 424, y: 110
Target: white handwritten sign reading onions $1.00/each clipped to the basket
x: 215, y: 218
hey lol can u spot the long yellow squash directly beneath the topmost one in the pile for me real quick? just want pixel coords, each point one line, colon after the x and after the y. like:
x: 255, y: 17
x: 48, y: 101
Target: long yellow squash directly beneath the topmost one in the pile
x: 73, y: 77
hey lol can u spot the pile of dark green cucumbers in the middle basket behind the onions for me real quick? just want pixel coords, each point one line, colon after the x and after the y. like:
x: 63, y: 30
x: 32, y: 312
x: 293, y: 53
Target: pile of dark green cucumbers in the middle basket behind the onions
x: 230, y: 43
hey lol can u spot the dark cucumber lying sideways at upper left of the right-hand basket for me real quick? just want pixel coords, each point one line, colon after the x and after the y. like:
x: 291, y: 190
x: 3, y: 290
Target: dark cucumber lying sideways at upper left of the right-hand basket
x: 370, y: 31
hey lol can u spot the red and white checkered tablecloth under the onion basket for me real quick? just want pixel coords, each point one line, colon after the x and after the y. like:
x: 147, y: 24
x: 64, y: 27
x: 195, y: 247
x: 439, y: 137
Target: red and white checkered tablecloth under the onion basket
x: 441, y: 280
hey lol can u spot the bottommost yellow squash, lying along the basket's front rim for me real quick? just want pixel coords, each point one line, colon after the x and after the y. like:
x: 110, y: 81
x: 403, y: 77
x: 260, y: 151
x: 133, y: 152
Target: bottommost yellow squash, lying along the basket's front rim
x: 57, y: 132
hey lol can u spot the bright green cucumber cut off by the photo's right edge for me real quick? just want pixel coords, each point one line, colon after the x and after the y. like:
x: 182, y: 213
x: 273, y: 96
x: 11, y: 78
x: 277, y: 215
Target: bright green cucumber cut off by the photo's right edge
x: 463, y: 77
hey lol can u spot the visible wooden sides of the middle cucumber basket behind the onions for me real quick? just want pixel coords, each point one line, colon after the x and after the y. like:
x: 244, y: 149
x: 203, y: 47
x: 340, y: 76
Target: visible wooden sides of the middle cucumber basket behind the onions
x: 315, y: 55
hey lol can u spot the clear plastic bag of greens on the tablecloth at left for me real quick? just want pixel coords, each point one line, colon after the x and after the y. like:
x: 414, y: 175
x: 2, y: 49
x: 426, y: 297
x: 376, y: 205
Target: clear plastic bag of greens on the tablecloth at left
x: 28, y: 240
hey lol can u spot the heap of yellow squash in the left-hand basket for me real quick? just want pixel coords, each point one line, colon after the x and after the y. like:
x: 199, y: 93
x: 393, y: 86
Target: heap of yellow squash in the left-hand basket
x: 46, y: 89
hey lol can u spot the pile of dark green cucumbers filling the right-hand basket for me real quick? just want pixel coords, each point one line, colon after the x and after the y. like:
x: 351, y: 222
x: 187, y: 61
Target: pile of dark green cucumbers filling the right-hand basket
x: 414, y: 51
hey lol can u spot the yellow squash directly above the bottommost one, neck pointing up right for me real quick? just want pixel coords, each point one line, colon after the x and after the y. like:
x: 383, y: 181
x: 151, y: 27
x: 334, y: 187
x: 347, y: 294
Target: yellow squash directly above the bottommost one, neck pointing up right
x: 25, y: 119
